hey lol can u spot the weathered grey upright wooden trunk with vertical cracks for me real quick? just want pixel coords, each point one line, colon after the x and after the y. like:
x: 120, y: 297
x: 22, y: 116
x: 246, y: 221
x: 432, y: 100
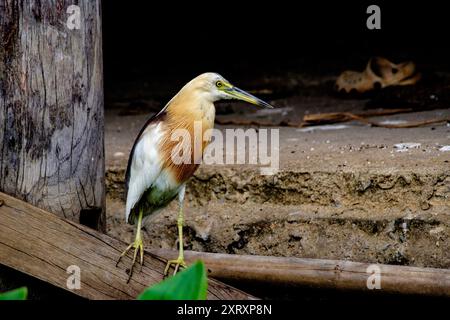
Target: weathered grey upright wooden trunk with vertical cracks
x: 51, y: 107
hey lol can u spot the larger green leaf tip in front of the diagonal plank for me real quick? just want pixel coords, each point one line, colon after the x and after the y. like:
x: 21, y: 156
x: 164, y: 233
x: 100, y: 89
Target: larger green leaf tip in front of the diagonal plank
x: 189, y: 284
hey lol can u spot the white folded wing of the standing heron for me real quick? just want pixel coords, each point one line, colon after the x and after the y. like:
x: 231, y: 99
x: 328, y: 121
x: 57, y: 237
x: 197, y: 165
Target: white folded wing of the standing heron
x: 145, y: 165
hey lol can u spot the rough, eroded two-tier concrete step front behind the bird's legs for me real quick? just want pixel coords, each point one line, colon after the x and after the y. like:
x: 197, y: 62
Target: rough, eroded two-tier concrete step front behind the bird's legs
x: 399, y: 218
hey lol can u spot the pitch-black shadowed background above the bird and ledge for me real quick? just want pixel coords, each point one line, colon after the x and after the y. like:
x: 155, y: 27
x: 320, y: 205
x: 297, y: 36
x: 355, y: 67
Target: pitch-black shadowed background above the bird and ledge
x: 171, y: 42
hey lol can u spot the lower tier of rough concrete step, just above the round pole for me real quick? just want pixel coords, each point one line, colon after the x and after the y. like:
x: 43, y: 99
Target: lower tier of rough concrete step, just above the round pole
x: 392, y: 236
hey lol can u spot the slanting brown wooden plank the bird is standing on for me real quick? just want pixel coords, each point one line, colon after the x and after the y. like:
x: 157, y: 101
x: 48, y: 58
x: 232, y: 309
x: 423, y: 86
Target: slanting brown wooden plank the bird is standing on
x: 43, y: 245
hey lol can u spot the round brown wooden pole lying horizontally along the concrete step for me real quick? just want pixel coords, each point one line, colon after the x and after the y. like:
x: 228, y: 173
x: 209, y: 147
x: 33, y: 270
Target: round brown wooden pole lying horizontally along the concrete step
x: 318, y: 273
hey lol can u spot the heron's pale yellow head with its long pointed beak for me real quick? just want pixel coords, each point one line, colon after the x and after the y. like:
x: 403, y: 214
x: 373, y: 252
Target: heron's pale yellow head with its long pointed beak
x: 214, y: 87
